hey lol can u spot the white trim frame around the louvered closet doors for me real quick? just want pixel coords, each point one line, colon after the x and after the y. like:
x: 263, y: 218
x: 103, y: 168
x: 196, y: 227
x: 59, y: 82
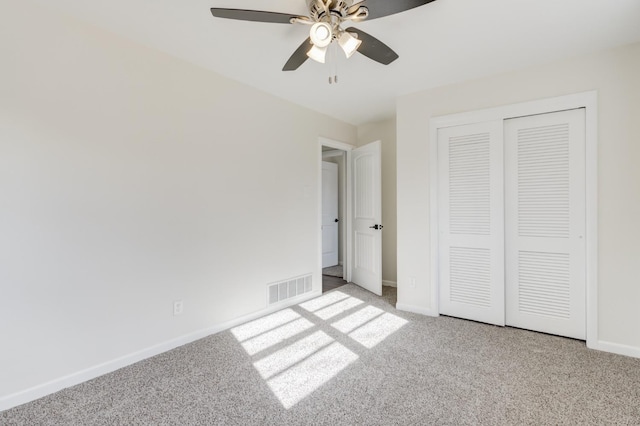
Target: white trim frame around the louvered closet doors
x: 586, y: 100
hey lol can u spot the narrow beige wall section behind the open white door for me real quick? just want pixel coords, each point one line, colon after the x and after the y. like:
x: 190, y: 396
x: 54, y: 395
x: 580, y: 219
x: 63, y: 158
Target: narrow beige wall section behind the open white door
x: 385, y: 131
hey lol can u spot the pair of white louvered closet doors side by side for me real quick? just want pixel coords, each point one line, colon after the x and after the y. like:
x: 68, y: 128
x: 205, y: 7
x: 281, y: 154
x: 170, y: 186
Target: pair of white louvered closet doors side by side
x: 511, y: 222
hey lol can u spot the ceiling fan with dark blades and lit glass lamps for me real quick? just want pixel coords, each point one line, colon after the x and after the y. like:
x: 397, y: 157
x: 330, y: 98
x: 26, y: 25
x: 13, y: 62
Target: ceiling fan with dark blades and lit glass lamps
x: 326, y: 18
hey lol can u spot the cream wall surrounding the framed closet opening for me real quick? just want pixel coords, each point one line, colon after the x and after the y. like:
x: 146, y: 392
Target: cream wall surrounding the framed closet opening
x: 614, y: 74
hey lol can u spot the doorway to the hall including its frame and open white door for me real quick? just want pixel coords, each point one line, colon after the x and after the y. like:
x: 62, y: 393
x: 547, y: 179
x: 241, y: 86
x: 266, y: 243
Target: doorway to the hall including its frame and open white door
x: 359, y: 217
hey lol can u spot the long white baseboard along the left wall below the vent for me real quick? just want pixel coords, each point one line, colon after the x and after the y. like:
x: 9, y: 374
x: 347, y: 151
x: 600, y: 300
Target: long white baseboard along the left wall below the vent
x: 44, y: 389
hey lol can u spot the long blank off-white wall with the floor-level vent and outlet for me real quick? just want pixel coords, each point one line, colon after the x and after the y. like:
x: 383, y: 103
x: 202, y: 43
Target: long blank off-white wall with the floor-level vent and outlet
x: 130, y: 179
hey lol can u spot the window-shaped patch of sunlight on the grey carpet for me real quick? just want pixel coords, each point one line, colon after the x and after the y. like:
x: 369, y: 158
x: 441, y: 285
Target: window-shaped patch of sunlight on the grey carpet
x: 294, y: 359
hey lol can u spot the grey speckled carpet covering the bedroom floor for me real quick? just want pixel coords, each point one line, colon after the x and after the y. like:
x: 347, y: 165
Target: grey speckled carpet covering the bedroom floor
x: 349, y: 358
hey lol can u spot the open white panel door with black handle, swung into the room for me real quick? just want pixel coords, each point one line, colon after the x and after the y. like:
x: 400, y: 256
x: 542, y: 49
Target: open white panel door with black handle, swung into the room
x: 367, y: 217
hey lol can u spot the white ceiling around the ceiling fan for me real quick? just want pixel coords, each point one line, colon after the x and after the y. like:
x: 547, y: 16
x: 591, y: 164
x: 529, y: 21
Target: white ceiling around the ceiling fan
x: 444, y: 42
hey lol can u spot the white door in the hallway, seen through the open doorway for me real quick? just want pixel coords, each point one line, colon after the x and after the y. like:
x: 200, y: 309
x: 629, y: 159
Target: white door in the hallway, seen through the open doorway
x: 329, y: 214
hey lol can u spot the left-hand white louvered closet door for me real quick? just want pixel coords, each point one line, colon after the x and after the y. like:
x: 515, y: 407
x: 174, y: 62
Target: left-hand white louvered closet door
x: 471, y: 222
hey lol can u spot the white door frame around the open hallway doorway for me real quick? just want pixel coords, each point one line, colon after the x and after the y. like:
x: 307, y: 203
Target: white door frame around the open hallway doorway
x: 346, y: 187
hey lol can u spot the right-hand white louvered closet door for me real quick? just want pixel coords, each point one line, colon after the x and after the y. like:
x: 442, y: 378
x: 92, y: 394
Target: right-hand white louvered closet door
x: 545, y: 223
